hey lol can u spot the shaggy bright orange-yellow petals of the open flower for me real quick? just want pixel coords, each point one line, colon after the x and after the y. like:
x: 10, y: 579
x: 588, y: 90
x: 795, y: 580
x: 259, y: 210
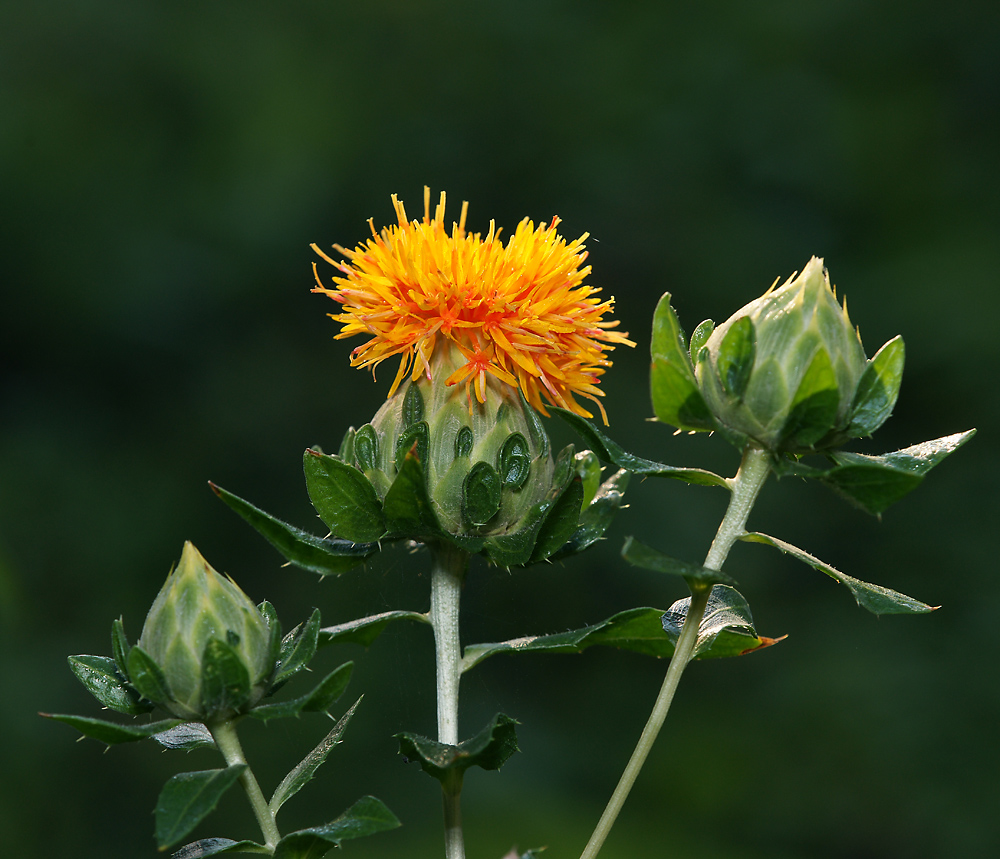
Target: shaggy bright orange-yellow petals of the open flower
x: 519, y: 312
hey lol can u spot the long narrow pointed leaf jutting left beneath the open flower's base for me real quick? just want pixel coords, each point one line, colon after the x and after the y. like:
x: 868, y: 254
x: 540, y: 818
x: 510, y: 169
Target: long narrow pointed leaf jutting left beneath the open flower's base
x: 325, y: 556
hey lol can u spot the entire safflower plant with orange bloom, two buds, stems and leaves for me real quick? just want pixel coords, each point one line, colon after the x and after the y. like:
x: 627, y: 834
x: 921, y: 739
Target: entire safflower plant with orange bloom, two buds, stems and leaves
x: 489, y: 336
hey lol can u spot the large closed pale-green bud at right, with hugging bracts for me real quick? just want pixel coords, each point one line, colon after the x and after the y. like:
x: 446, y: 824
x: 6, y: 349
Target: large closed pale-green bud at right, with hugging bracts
x: 788, y: 370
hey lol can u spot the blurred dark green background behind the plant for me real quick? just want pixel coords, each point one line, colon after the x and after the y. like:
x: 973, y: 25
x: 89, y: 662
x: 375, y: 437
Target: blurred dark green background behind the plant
x: 163, y: 168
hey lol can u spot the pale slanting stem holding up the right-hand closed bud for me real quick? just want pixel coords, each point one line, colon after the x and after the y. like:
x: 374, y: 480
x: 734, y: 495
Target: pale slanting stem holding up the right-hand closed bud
x: 745, y: 486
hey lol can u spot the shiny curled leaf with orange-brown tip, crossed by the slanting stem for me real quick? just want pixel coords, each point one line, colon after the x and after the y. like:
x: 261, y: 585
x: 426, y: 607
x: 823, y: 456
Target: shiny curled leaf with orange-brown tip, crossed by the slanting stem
x: 725, y: 630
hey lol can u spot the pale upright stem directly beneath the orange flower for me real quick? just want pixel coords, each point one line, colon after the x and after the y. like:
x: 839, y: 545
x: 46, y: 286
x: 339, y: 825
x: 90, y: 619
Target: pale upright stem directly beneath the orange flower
x: 447, y: 576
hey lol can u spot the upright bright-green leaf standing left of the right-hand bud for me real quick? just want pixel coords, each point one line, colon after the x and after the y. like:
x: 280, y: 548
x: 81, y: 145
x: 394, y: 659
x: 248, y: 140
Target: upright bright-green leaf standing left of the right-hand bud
x: 676, y: 397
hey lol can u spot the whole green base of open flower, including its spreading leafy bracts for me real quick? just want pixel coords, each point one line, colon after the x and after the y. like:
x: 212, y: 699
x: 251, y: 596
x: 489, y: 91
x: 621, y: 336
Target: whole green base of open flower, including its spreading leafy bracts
x: 438, y: 467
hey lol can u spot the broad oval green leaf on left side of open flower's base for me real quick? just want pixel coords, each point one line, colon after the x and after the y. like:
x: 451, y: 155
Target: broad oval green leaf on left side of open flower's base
x: 344, y: 498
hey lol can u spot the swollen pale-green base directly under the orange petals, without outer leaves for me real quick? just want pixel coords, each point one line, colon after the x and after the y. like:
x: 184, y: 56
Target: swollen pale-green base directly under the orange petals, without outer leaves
x: 486, y: 464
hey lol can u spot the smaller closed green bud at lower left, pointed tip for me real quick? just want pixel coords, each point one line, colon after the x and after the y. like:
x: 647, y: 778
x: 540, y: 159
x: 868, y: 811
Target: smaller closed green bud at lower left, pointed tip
x: 205, y: 649
